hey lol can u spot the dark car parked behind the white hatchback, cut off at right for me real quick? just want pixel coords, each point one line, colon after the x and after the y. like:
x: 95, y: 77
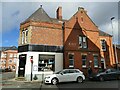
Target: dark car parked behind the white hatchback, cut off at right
x: 108, y: 74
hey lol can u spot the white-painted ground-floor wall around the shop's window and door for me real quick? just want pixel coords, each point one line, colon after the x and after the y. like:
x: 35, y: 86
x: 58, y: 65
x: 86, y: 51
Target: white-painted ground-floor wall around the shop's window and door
x: 40, y: 74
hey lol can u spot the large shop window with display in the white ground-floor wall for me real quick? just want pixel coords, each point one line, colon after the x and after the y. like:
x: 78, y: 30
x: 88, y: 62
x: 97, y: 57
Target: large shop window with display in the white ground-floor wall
x: 46, y: 63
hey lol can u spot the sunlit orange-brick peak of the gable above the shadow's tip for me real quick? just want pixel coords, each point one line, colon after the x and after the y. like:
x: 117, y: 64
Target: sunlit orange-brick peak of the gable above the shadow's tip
x: 83, y: 19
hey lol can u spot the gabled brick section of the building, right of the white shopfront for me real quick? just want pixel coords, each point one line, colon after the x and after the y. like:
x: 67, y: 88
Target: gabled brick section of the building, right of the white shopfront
x: 85, y: 45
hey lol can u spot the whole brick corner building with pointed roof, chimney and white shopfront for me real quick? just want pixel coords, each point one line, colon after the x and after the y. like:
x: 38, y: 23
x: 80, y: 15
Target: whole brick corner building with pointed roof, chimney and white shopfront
x: 73, y: 43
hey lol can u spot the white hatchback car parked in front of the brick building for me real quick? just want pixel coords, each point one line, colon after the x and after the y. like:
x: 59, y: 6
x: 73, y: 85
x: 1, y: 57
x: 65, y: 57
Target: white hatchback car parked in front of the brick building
x: 65, y: 75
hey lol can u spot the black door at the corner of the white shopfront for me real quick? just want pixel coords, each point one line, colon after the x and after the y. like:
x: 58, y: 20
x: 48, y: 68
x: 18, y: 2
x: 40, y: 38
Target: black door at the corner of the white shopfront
x: 22, y: 63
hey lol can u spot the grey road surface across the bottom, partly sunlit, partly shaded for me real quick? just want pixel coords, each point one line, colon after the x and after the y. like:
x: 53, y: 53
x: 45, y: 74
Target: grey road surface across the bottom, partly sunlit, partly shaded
x: 12, y: 84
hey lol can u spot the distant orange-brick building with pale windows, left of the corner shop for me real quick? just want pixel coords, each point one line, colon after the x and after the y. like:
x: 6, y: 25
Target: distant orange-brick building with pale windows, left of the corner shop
x: 8, y: 58
